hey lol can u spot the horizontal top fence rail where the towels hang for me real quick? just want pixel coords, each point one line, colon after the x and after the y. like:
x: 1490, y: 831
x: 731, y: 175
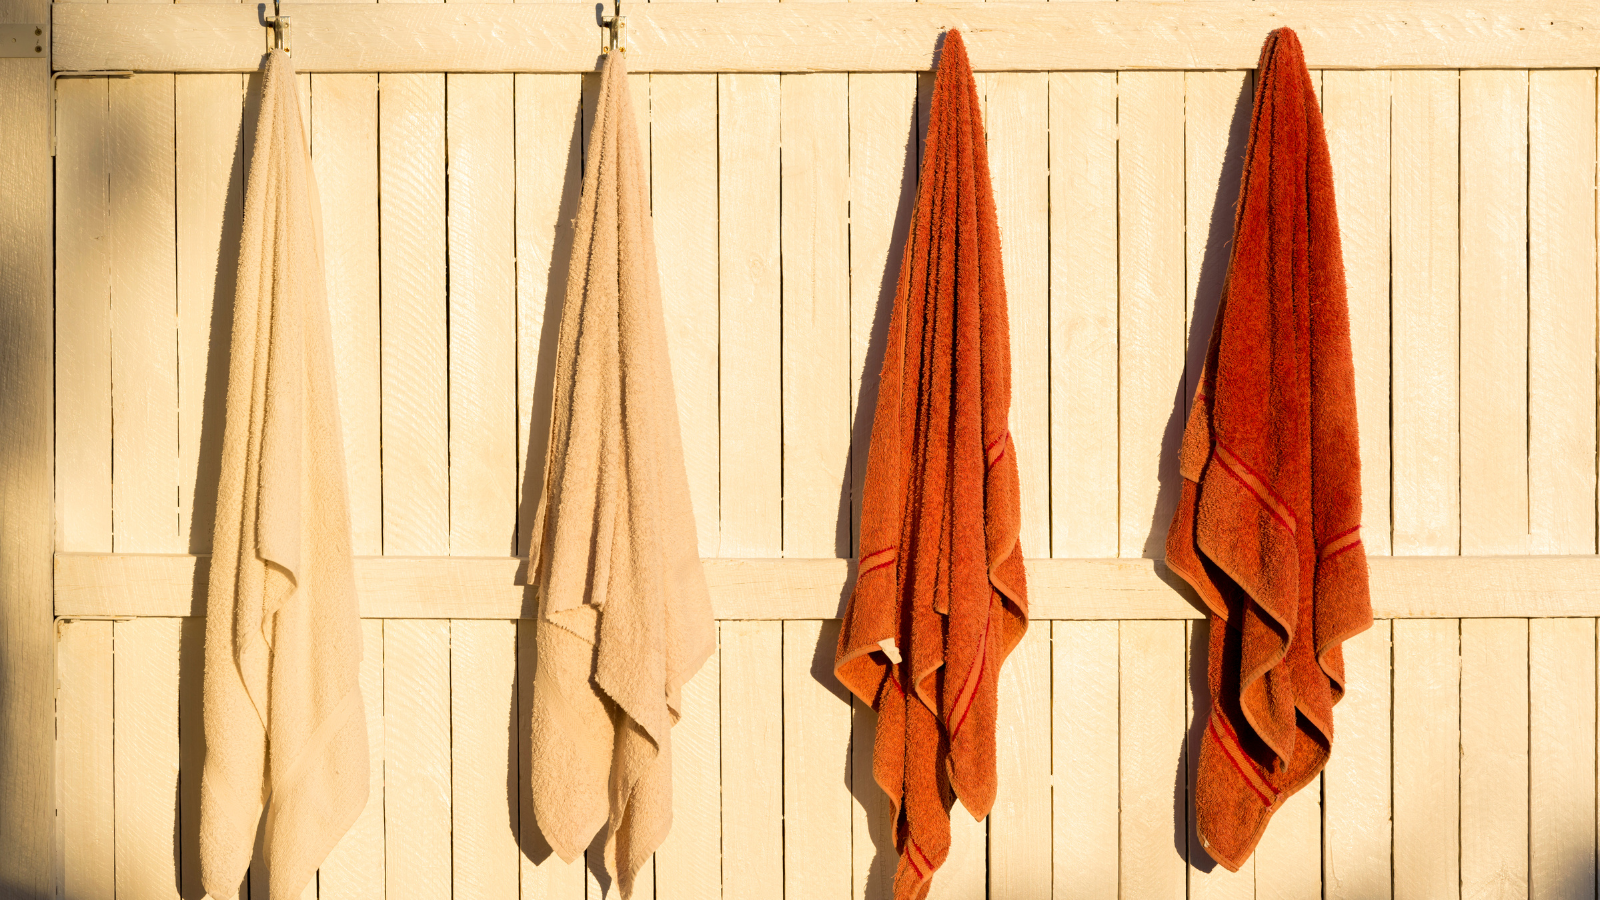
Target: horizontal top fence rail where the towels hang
x: 825, y: 38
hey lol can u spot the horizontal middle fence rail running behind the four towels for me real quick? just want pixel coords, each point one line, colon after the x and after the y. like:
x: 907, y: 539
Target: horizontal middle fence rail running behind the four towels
x: 1420, y: 587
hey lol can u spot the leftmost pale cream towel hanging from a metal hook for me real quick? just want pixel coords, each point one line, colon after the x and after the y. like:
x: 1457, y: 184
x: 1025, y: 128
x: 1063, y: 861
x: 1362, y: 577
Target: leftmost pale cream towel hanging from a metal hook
x: 284, y: 725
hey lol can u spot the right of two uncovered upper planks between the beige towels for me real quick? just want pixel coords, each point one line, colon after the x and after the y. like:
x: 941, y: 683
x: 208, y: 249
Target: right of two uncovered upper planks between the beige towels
x: 481, y: 140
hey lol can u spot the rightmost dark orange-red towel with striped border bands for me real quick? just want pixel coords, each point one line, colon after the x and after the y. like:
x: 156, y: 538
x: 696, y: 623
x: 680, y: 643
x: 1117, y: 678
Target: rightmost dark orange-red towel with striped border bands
x: 1268, y: 529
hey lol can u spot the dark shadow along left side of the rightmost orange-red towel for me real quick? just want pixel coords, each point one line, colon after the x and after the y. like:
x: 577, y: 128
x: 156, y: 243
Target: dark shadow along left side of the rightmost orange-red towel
x: 1207, y: 300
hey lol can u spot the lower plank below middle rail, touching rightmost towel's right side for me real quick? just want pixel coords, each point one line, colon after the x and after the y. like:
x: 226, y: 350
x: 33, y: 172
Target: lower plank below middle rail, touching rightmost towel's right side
x: 1358, y: 781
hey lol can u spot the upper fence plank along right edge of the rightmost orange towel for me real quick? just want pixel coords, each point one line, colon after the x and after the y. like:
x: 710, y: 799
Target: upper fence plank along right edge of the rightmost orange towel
x: 1356, y: 110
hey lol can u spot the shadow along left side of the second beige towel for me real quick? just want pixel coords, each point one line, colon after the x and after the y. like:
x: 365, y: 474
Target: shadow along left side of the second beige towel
x: 519, y: 802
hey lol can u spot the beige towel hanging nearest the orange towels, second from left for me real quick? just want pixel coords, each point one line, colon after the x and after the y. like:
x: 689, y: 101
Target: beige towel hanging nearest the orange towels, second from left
x: 625, y: 617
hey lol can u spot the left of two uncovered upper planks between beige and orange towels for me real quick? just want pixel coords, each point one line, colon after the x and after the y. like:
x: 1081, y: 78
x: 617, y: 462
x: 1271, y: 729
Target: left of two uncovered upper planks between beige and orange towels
x: 751, y: 372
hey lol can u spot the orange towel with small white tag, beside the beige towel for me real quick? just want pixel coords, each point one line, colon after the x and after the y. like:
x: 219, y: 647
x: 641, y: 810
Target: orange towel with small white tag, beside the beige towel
x: 940, y: 597
